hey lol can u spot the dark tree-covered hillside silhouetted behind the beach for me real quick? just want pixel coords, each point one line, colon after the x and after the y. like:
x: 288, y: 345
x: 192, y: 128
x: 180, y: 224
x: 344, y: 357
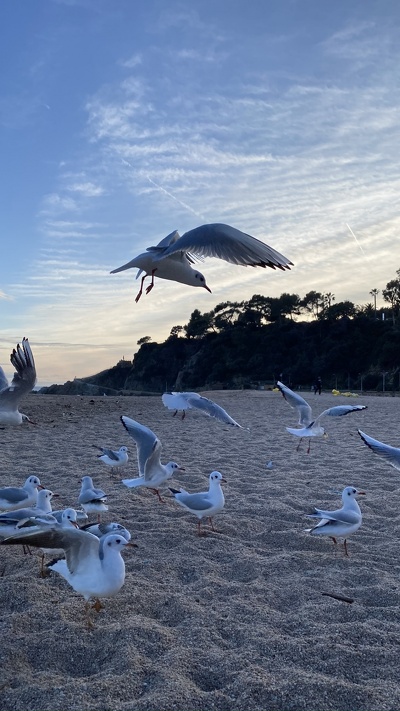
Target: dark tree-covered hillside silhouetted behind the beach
x: 256, y: 342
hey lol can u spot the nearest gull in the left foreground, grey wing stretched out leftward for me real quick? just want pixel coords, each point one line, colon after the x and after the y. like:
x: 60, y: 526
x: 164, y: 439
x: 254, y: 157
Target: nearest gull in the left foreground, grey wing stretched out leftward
x: 93, y: 567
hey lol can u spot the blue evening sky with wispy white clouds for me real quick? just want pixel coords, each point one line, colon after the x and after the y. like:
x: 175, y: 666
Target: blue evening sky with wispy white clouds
x: 123, y: 121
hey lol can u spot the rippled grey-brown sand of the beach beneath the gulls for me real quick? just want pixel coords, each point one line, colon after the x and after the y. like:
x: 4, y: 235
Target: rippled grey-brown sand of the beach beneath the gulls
x: 235, y: 620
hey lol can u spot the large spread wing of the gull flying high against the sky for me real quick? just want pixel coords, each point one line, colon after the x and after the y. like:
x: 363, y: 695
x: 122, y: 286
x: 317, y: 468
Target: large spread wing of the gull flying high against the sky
x: 227, y: 243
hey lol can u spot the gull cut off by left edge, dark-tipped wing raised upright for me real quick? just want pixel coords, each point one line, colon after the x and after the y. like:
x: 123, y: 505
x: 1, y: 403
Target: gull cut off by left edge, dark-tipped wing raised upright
x: 22, y: 383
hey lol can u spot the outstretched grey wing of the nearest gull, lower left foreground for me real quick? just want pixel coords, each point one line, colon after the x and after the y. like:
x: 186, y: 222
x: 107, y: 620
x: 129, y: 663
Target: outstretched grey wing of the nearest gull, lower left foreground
x: 77, y: 544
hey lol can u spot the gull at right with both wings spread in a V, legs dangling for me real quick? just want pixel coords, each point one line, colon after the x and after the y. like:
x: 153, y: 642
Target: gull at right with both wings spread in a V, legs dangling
x: 310, y: 427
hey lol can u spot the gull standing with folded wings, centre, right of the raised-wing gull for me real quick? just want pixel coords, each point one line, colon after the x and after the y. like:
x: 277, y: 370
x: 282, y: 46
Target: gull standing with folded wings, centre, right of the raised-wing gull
x: 205, y: 503
